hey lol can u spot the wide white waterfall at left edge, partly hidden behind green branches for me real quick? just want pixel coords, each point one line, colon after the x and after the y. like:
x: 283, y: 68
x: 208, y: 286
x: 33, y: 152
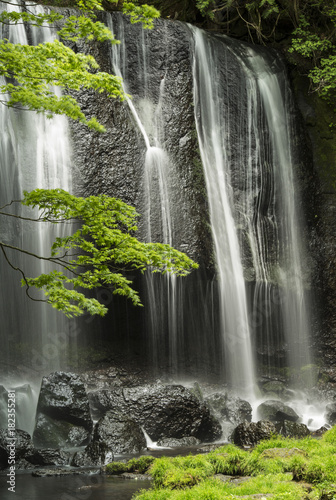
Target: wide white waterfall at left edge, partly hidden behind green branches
x: 35, y: 153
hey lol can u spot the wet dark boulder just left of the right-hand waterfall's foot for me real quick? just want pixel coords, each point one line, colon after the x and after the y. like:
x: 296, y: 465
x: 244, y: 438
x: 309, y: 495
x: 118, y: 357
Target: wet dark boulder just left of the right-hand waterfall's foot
x: 230, y: 408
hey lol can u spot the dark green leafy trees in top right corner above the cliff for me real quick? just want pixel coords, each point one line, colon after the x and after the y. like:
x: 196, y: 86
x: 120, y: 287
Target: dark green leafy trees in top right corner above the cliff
x: 307, y: 29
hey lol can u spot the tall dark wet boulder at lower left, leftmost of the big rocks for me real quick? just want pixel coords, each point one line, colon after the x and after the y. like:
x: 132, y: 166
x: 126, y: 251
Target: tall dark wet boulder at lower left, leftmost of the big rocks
x: 63, y: 416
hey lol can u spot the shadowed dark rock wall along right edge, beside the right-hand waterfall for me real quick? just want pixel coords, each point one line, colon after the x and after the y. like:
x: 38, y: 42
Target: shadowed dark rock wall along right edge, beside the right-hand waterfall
x: 317, y: 116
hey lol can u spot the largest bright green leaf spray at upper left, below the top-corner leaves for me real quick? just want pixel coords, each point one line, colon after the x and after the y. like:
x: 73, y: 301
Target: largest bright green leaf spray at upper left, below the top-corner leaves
x: 35, y: 68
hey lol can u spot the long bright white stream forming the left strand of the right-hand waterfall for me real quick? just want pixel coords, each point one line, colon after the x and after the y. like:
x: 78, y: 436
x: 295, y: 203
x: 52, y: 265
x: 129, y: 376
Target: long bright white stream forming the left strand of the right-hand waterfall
x: 213, y: 128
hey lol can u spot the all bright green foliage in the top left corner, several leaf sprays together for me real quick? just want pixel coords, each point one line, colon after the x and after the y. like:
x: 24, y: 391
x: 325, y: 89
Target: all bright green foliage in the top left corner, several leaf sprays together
x: 33, y: 70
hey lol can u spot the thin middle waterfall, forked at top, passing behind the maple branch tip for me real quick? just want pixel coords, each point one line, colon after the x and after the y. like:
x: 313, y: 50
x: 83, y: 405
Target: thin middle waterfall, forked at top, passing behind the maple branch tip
x: 162, y: 291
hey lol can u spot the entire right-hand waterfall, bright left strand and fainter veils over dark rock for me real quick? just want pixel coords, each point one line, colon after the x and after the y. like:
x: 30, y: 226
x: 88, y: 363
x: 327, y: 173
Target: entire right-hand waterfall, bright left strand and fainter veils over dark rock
x: 250, y: 186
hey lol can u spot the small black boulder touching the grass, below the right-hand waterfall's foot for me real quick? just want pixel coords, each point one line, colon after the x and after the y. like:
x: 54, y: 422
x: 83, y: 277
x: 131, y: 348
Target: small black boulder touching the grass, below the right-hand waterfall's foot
x: 250, y: 433
